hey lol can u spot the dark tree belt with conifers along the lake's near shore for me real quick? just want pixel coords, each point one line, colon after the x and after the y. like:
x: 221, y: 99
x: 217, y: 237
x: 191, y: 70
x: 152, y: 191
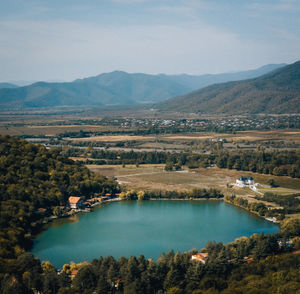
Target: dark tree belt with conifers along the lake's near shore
x: 249, y: 265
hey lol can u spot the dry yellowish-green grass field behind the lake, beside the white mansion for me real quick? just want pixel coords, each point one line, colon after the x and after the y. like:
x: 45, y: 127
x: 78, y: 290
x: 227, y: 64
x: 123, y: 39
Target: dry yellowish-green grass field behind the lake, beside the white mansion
x: 155, y: 177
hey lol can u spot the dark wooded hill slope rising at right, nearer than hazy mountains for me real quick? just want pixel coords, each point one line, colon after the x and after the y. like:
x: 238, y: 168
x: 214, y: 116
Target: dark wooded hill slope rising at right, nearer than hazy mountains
x: 276, y: 92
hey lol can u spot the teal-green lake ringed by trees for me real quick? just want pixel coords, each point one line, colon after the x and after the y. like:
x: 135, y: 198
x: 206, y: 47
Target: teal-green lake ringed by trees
x: 129, y: 228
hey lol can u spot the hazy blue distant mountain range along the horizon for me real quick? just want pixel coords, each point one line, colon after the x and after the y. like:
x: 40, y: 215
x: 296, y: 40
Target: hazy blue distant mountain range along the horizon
x: 116, y: 88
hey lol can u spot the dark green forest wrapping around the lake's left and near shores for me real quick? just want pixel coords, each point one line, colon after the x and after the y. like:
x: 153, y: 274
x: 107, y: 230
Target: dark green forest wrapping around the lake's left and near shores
x: 32, y: 177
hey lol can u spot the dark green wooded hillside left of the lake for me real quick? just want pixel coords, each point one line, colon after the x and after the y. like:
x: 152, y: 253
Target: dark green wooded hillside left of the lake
x: 32, y: 177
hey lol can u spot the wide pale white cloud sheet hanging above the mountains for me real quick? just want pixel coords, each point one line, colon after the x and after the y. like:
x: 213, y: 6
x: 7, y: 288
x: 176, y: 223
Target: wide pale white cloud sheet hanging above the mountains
x: 68, y: 50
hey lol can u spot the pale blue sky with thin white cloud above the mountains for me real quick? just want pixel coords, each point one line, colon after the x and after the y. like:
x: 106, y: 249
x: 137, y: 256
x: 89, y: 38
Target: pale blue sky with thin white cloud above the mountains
x: 63, y: 40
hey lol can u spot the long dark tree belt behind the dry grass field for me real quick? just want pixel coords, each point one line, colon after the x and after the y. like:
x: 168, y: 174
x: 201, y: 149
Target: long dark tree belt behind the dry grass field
x: 278, y: 163
